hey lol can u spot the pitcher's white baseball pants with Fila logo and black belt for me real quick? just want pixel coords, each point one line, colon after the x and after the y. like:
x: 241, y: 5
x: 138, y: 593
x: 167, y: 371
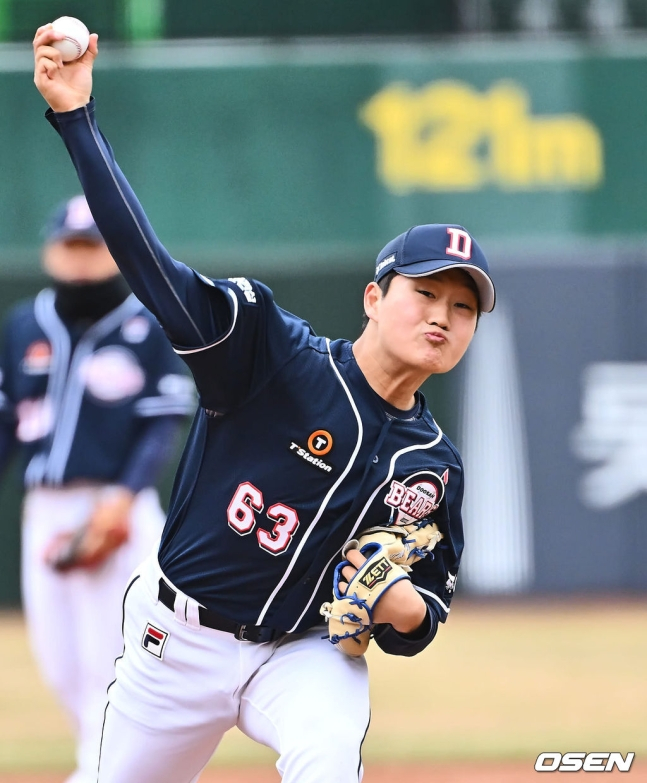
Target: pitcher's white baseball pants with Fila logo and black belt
x: 175, y: 695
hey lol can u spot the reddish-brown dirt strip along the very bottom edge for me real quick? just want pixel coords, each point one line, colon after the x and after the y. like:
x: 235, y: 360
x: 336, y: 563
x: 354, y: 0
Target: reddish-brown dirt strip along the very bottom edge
x: 482, y: 772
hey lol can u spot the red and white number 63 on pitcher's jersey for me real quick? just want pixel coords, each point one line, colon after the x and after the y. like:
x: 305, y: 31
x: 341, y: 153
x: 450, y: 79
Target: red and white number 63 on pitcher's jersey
x: 241, y: 516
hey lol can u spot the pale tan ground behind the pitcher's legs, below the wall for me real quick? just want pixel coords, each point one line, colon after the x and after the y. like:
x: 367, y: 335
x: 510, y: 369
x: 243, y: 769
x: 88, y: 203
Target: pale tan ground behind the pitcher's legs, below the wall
x: 502, y: 683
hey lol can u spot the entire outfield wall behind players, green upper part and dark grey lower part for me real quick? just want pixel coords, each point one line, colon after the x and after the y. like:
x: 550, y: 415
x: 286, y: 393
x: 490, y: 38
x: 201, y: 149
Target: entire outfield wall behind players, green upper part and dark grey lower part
x: 297, y: 163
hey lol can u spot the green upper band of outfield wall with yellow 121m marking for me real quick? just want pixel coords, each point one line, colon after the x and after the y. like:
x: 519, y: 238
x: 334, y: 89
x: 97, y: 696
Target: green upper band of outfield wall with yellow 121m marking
x: 288, y: 155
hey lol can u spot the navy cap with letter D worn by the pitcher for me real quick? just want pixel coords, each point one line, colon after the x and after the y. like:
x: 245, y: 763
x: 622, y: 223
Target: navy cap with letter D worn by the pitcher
x: 424, y: 250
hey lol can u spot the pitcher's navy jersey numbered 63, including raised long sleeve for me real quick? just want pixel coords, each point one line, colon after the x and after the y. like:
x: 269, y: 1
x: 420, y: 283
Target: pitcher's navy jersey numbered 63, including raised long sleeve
x: 291, y: 452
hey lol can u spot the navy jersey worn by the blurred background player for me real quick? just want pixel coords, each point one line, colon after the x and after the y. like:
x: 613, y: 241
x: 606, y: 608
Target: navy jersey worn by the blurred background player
x: 57, y: 387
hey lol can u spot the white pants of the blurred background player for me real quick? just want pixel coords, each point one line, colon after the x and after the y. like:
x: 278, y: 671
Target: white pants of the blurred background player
x: 74, y: 618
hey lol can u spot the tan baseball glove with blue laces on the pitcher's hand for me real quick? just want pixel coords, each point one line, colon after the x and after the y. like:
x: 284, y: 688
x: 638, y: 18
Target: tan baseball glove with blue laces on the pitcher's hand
x: 390, y: 553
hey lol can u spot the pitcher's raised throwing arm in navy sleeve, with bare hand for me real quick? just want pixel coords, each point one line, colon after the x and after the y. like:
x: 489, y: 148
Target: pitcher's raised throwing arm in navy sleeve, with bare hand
x: 192, y: 313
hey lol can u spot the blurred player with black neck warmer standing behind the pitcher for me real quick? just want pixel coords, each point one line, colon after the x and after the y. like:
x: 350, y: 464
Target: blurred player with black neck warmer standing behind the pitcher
x: 95, y: 397
